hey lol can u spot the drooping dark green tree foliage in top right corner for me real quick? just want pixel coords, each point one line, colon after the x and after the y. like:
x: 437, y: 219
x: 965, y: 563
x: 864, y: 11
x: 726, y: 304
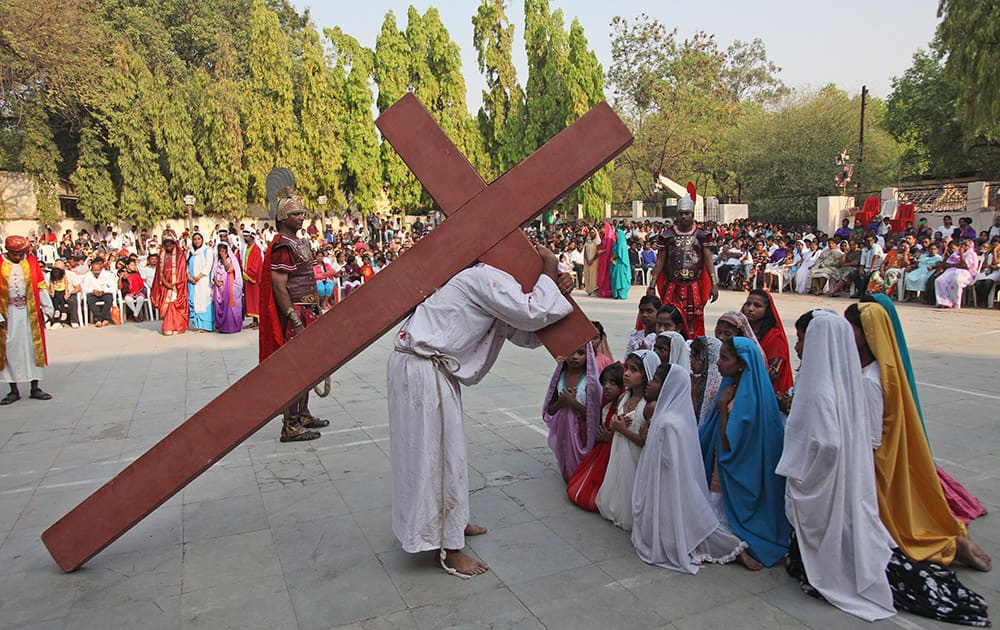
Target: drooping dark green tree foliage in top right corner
x: 968, y: 34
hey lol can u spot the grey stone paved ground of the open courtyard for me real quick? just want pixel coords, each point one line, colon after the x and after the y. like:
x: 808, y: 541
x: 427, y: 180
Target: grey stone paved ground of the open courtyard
x: 298, y: 536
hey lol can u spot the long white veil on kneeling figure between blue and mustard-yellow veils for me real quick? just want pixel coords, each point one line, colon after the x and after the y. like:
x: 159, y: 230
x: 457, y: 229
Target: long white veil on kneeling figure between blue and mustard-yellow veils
x: 831, y: 499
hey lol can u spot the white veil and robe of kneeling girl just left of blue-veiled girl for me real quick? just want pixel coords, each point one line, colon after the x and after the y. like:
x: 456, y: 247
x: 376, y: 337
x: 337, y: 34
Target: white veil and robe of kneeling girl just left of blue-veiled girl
x: 674, y: 525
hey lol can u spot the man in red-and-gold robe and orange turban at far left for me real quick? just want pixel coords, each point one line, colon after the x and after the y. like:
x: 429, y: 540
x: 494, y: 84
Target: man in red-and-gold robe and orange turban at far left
x: 22, y: 323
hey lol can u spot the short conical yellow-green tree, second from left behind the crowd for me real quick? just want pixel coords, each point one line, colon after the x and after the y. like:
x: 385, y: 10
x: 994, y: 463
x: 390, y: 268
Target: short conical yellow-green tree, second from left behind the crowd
x: 96, y: 194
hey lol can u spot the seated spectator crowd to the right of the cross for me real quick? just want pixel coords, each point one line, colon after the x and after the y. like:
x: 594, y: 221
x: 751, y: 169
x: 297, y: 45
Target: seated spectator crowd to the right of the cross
x: 935, y: 264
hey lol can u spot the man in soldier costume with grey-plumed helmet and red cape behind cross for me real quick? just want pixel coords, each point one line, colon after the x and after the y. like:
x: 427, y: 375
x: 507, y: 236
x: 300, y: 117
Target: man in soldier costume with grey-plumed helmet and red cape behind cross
x: 289, y: 302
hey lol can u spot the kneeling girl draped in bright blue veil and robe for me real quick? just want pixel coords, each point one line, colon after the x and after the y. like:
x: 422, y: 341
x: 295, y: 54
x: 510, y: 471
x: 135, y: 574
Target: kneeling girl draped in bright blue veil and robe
x: 741, y: 444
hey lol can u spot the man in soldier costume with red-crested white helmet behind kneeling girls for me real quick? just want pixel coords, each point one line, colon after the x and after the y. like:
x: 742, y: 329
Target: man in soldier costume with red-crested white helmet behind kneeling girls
x: 684, y: 274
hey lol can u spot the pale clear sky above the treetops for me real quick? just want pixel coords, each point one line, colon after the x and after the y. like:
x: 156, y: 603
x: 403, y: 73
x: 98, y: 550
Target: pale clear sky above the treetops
x: 847, y: 42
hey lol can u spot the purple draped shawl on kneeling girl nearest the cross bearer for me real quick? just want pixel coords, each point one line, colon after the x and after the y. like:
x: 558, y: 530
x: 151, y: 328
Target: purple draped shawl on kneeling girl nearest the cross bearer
x: 564, y: 438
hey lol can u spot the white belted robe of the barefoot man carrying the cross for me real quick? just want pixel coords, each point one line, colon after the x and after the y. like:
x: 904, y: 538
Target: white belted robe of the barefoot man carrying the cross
x: 468, y: 320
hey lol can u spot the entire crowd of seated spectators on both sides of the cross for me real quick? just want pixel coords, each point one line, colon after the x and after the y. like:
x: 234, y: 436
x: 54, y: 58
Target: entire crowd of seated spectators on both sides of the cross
x: 946, y: 265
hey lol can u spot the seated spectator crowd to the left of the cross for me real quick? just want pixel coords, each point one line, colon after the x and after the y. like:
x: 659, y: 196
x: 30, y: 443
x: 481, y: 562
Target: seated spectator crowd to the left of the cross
x: 106, y: 276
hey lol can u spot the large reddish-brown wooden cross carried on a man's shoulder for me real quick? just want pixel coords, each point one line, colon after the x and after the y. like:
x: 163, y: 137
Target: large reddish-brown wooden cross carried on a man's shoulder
x: 482, y: 224
